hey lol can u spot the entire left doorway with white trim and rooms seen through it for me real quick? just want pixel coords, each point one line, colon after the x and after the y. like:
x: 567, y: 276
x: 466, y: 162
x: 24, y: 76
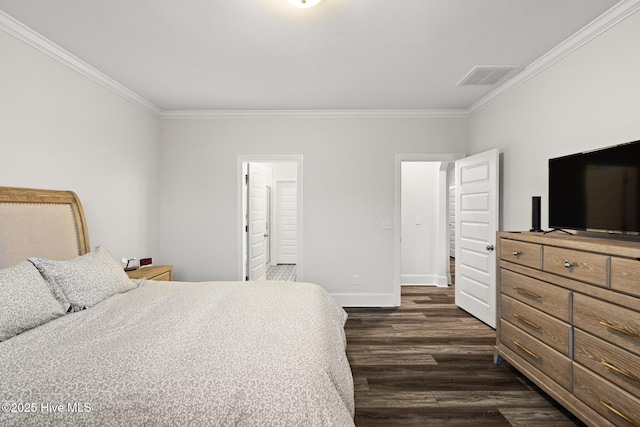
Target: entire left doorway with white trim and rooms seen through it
x: 270, y: 217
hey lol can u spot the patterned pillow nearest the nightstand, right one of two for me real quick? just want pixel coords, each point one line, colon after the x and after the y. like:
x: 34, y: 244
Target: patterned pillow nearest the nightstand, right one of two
x: 87, y: 279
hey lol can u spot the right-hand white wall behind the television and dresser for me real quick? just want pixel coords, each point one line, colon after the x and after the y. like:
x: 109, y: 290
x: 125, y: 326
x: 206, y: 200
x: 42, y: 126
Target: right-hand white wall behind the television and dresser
x: 590, y: 99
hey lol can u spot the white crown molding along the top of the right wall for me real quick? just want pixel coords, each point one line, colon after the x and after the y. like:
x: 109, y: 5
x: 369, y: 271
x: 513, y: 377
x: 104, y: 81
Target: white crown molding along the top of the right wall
x: 601, y: 24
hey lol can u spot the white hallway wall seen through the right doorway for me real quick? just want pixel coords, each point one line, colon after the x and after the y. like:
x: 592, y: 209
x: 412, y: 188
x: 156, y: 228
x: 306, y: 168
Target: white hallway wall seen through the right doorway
x: 419, y: 224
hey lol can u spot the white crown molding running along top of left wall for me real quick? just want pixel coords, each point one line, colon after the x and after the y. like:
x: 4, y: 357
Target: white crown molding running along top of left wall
x: 20, y: 31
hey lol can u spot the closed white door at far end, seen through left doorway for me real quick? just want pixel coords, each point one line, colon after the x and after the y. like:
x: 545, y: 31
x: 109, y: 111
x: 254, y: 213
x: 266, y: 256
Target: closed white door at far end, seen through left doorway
x: 287, y: 222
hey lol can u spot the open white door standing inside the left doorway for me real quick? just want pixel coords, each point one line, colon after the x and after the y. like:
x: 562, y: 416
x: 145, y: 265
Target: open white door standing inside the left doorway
x: 256, y: 221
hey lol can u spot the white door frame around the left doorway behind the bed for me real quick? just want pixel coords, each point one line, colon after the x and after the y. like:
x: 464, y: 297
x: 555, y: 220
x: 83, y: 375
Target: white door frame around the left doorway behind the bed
x: 267, y: 158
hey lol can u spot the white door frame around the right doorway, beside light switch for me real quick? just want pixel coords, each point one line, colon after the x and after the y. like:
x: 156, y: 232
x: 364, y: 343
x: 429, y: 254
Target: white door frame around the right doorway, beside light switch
x: 397, y: 260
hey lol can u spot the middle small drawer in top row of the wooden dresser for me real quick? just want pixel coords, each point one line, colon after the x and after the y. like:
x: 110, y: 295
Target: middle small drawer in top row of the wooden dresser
x: 578, y: 265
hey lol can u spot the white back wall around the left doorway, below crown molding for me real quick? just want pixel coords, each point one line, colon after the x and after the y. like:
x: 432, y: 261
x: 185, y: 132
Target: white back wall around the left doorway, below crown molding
x: 348, y: 167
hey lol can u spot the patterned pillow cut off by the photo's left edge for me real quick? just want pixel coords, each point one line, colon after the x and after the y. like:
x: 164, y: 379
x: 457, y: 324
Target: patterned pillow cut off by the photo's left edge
x: 26, y: 301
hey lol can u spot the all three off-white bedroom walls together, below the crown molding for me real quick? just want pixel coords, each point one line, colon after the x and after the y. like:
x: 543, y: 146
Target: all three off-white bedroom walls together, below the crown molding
x: 135, y: 172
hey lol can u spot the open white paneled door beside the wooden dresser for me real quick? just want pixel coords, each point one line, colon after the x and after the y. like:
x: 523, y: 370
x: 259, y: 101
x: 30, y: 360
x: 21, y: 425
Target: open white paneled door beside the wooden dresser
x: 476, y: 226
